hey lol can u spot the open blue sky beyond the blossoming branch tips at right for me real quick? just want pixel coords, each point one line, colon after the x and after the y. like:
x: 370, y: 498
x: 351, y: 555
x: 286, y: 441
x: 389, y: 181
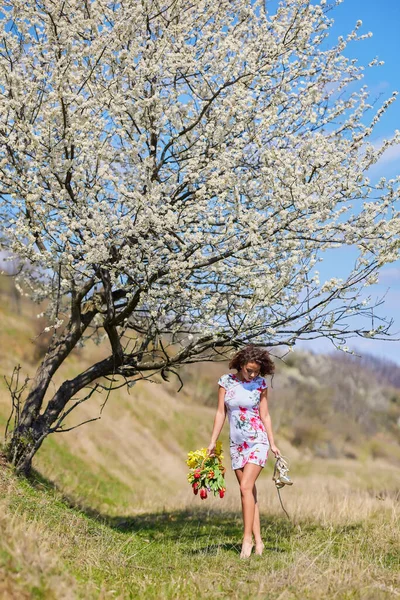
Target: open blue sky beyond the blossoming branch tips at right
x: 383, y: 20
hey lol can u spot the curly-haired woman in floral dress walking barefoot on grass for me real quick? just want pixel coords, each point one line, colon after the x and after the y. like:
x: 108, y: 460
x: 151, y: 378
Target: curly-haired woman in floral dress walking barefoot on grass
x: 244, y: 398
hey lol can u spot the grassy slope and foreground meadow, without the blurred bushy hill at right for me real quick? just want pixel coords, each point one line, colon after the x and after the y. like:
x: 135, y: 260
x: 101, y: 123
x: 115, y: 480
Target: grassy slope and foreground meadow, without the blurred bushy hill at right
x: 87, y: 527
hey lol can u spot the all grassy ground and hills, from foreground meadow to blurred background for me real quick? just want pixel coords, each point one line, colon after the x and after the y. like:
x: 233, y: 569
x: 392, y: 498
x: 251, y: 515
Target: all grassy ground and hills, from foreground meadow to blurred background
x: 109, y: 513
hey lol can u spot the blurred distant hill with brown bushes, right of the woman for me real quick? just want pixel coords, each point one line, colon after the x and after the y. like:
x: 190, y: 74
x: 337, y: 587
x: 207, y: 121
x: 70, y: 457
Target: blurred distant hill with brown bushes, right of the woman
x: 338, y: 404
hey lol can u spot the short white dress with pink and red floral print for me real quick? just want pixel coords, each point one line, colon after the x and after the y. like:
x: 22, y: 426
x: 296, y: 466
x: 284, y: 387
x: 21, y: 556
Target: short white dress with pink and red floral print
x: 248, y: 438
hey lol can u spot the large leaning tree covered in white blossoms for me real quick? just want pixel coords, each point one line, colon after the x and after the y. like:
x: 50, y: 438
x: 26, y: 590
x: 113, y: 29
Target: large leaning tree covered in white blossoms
x: 170, y: 174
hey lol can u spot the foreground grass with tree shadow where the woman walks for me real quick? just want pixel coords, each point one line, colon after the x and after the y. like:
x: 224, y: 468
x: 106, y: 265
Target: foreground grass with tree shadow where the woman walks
x: 66, y: 550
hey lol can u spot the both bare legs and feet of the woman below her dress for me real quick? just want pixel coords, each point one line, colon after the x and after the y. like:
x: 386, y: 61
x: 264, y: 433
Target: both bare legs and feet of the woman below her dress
x: 251, y: 516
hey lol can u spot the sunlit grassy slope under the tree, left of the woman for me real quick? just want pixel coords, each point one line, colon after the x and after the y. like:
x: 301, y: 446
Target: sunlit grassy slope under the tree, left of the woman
x: 137, y: 430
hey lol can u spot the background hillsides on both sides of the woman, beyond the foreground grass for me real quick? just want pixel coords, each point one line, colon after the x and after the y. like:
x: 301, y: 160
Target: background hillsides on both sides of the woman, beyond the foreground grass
x: 323, y: 406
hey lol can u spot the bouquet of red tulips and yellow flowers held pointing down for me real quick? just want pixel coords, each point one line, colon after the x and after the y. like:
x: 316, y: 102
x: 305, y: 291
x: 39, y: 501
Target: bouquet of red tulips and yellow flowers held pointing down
x: 206, y: 472
